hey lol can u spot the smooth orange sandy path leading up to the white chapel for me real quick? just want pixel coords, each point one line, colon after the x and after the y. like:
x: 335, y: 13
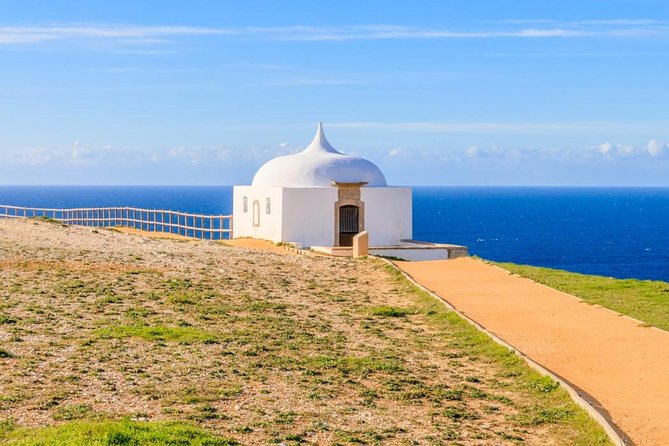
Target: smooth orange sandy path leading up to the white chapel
x: 616, y: 360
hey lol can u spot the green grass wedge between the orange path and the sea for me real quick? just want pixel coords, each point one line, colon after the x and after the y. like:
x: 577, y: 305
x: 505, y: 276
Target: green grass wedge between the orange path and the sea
x: 646, y: 300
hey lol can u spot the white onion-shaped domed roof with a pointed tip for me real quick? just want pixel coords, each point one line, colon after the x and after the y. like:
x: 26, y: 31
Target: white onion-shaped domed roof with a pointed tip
x: 318, y: 165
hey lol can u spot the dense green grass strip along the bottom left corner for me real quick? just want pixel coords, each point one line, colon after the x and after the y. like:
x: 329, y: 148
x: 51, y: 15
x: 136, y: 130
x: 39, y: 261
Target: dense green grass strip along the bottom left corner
x: 124, y: 432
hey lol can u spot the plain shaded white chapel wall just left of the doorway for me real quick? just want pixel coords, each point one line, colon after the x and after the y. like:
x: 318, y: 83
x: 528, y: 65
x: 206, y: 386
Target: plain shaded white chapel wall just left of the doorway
x: 308, y: 215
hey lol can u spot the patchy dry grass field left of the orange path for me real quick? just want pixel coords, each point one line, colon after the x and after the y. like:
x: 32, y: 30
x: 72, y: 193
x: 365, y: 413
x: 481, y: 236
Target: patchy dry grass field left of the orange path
x: 118, y: 339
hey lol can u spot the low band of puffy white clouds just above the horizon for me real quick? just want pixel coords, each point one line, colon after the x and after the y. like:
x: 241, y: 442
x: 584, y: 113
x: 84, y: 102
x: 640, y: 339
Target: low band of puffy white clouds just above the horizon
x: 206, y: 156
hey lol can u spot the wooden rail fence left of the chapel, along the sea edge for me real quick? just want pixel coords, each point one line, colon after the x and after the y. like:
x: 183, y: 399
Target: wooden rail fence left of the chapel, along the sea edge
x: 213, y: 227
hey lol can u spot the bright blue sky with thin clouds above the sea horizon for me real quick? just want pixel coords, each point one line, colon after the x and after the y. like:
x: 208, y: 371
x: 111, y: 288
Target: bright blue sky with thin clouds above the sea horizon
x: 434, y: 92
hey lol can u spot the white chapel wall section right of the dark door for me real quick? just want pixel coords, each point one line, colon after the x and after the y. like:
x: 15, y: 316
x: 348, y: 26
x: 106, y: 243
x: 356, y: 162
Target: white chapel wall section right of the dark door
x: 388, y: 214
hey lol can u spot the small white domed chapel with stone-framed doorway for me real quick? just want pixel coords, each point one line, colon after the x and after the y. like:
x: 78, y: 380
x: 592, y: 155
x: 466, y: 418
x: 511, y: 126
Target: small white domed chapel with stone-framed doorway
x: 322, y: 197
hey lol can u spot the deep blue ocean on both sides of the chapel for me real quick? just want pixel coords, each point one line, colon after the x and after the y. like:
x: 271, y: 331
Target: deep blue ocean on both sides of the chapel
x: 617, y: 232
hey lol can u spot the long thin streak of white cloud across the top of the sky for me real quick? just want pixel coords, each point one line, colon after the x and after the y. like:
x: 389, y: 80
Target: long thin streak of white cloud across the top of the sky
x: 143, y: 34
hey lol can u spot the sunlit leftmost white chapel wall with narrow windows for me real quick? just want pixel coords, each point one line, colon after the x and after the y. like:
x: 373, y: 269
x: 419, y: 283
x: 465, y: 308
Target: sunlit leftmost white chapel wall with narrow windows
x: 270, y: 224
